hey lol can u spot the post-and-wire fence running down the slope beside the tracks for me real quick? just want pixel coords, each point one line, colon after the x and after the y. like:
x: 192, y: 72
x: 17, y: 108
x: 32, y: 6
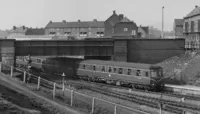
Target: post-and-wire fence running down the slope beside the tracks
x: 71, y: 97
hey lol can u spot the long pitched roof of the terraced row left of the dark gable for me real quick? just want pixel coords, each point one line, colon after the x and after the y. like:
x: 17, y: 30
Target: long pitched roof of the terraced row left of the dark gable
x: 78, y: 24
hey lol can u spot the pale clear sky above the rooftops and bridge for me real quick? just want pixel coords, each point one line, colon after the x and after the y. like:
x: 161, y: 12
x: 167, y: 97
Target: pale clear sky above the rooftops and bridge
x: 37, y: 13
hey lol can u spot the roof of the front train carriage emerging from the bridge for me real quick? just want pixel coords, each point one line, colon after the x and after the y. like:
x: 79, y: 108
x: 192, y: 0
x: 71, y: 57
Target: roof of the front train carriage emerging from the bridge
x: 119, y: 64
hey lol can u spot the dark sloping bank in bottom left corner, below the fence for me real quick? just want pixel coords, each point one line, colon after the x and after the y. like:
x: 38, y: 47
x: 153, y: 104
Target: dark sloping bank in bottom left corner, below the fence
x: 15, y: 97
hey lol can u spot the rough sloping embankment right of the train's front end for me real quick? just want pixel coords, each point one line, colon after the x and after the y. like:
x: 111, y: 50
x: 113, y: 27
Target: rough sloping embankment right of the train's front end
x: 183, y: 69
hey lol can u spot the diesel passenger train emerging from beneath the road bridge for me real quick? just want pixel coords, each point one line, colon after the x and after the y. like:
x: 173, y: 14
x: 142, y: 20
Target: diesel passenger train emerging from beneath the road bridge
x: 145, y: 76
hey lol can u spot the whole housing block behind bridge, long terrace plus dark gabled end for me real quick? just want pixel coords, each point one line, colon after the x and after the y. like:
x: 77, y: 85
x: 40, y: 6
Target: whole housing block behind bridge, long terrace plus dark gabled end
x: 115, y: 25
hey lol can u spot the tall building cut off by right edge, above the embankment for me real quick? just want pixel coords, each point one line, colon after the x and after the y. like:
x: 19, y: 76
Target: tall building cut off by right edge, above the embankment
x: 191, y: 29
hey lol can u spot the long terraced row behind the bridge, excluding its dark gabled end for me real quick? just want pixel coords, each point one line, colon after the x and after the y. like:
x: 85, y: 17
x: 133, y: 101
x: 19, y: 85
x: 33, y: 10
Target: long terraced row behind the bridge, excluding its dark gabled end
x: 79, y: 29
